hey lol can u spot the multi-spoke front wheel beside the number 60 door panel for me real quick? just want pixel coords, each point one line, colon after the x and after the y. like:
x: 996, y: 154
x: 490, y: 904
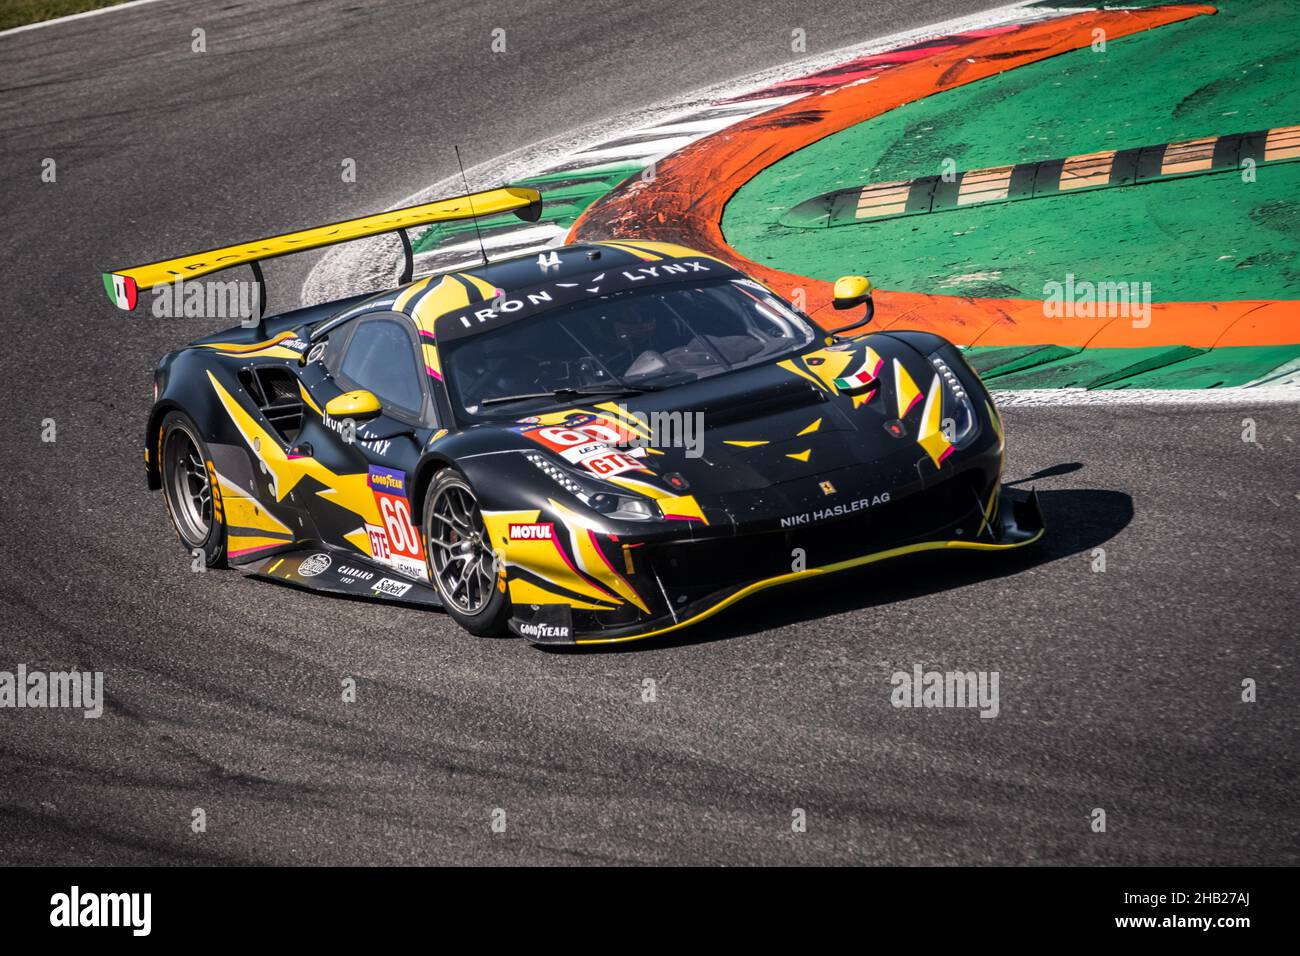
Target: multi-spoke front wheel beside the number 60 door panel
x: 462, y: 561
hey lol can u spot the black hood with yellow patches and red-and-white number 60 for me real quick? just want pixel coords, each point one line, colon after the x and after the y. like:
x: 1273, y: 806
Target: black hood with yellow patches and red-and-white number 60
x: 866, y: 403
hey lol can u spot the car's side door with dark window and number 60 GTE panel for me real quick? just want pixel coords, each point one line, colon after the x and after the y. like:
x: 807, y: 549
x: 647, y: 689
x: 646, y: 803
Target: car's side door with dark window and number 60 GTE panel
x: 372, y: 457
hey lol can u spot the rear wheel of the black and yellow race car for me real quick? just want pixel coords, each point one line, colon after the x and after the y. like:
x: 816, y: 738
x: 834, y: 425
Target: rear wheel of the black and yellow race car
x: 188, y: 490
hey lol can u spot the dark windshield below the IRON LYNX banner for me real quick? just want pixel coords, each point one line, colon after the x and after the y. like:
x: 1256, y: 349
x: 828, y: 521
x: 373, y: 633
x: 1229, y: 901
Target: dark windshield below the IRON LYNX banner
x: 622, y: 344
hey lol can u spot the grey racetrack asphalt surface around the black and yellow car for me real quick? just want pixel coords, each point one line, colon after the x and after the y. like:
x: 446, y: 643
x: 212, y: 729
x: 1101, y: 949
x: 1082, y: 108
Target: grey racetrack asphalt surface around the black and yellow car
x: 1120, y: 690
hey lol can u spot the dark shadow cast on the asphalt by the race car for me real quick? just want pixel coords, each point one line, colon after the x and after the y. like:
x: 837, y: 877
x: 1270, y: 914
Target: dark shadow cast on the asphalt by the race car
x: 1077, y: 521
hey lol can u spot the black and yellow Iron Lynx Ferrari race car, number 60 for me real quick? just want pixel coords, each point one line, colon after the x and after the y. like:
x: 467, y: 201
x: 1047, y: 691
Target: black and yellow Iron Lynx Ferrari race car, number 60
x: 597, y: 444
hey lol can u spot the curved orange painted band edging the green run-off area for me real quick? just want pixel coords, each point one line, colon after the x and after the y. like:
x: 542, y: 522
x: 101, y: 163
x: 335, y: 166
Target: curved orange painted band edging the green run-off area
x: 686, y: 201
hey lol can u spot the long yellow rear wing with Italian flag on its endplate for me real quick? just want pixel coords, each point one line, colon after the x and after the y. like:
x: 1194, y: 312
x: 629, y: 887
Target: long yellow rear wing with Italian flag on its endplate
x: 124, y: 285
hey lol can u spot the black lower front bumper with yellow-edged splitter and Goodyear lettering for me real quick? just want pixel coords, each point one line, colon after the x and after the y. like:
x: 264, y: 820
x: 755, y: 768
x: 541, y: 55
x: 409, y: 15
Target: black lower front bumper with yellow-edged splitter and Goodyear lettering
x: 700, y: 578
